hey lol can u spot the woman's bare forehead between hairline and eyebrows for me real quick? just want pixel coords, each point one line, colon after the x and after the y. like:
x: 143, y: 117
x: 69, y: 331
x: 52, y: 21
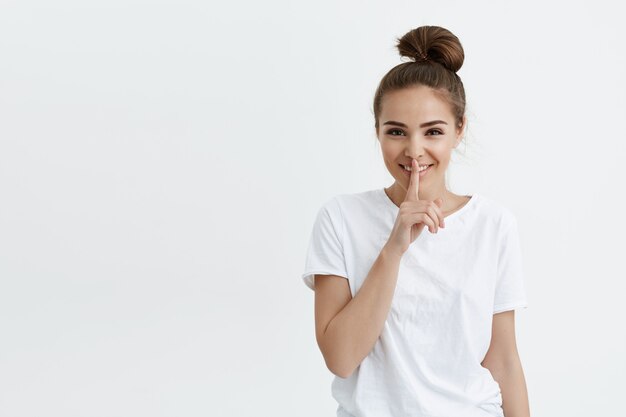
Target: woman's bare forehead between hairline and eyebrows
x: 414, y: 105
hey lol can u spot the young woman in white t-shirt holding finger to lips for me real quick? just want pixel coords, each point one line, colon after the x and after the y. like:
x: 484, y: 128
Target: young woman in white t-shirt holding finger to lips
x: 412, y: 323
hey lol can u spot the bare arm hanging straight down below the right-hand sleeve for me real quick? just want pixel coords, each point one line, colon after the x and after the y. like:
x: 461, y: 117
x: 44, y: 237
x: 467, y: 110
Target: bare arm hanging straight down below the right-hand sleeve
x: 502, y: 360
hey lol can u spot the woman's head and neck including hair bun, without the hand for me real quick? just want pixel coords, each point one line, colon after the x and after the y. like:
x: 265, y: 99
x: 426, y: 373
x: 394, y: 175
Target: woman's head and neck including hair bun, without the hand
x: 421, y: 106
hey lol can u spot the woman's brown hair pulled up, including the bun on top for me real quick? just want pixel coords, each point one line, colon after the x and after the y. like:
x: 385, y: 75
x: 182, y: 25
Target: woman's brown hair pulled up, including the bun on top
x: 436, y: 55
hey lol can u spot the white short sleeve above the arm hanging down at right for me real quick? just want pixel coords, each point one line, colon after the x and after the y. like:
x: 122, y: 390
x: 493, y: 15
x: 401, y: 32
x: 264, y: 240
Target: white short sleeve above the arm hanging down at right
x: 510, y: 293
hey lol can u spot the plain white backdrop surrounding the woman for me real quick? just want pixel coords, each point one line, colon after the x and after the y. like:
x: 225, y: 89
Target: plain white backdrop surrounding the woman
x: 161, y: 164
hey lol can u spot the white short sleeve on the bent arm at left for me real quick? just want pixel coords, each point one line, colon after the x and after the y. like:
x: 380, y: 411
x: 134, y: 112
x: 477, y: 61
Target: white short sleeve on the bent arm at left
x: 325, y: 254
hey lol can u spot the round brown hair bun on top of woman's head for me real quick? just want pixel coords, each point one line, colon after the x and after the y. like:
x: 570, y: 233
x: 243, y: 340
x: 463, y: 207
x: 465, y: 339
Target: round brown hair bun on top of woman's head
x: 432, y: 43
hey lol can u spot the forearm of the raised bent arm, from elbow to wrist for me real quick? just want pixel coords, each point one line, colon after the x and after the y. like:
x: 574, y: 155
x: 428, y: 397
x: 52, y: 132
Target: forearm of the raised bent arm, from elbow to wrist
x: 352, y: 333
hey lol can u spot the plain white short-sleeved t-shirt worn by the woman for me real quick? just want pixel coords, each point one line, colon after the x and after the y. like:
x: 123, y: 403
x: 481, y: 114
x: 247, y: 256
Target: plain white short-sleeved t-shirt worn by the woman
x: 427, y: 359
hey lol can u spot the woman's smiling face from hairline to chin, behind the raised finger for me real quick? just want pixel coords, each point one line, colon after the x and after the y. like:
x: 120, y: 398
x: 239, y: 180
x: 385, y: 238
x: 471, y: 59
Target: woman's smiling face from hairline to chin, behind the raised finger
x: 416, y: 124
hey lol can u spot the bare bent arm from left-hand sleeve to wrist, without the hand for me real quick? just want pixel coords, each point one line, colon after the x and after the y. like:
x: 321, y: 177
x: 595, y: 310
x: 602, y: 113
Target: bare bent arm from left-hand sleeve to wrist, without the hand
x: 346, y: 338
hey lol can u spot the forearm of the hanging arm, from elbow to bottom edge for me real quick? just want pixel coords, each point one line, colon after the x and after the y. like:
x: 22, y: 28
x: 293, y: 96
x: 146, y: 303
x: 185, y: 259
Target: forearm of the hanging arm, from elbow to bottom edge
x: 512, y: 383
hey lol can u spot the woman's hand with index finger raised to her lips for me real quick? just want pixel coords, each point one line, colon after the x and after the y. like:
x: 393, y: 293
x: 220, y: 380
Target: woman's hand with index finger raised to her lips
x: 413, y: 215
